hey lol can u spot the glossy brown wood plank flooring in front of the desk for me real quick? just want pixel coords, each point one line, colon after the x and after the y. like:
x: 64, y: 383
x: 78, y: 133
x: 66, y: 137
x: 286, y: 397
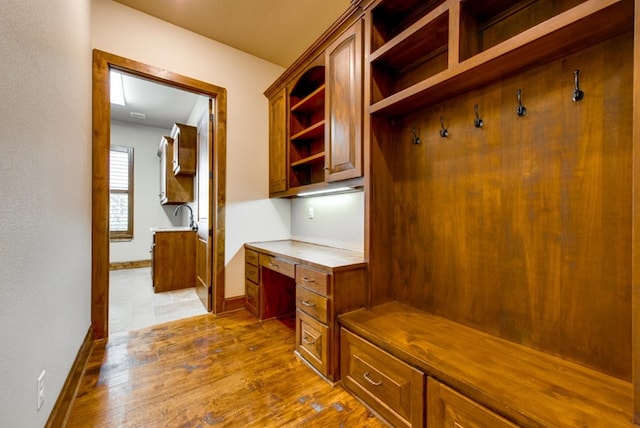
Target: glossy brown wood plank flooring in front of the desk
x: 205, y: 371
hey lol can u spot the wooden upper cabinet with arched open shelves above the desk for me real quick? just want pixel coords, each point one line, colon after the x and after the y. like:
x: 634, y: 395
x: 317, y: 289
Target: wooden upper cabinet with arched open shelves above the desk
x: 315, y: 114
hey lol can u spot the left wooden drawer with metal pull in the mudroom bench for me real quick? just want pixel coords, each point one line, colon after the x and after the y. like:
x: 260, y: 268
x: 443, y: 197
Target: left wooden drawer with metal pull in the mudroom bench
x: 387, y: 385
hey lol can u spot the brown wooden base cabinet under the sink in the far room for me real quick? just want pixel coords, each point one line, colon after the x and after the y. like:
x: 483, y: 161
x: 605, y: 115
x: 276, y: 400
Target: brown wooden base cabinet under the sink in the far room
x: 173, y: 260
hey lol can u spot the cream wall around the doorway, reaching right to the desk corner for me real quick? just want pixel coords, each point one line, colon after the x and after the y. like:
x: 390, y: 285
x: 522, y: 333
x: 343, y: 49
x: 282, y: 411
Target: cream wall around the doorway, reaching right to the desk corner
x: 250, y: 215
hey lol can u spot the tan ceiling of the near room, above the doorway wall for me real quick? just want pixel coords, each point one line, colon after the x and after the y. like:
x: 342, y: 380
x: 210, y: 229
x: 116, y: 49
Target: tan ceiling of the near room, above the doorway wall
x: 278, y: 31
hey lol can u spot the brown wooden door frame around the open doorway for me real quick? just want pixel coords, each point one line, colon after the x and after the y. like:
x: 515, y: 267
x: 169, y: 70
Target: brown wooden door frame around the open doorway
x: 102, y: 63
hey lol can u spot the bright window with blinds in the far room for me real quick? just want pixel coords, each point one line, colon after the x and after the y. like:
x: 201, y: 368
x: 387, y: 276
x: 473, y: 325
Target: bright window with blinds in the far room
x: 121, y: 192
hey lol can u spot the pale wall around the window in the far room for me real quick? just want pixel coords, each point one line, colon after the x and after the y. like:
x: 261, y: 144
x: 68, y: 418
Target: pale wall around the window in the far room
x: 147, y: 210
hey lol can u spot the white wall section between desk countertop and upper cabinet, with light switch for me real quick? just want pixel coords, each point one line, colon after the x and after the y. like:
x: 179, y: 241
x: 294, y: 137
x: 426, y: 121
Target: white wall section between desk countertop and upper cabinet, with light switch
x: 338, y: 220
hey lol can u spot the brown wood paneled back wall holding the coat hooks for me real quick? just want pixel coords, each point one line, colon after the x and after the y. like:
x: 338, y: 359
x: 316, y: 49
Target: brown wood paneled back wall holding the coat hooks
x: 521, y: 228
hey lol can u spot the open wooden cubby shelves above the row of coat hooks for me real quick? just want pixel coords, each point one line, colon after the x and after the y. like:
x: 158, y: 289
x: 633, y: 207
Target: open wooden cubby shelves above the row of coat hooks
x: 405, y: 77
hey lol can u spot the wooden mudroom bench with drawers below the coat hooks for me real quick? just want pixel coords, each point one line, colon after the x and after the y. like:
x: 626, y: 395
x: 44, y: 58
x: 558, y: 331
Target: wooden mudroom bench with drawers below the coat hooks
x: 458, y: 377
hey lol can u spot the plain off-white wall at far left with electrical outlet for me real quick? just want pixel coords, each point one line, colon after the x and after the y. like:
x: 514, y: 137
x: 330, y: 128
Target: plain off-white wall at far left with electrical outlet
x: 45, y: 218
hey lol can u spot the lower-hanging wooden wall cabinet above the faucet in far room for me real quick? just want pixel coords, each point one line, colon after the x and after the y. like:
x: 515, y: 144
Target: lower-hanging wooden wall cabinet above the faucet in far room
x: 174, y: 189
